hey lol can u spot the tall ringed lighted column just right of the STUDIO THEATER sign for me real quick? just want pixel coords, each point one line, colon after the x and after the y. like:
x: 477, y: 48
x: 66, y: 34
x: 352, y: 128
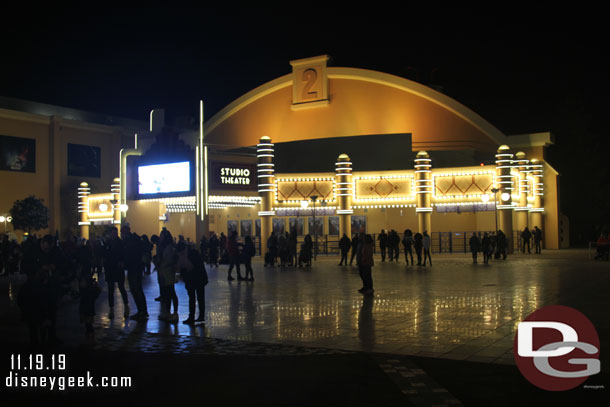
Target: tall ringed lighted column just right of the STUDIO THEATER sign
x: 266, y: 184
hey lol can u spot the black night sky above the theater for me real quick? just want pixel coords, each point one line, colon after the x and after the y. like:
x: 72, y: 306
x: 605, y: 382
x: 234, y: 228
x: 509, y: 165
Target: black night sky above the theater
x: 523, y: 73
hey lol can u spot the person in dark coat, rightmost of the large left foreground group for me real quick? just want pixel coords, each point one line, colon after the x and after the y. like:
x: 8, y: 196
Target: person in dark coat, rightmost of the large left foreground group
x: 192, y: 269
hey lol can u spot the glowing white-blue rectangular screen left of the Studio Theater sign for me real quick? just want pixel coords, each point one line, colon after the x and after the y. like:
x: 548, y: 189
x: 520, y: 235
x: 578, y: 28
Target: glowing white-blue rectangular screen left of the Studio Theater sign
x: 164, y: 178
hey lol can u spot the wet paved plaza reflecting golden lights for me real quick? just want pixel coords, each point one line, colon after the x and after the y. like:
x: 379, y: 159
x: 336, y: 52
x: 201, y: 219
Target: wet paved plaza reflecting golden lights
x: 453, y: 310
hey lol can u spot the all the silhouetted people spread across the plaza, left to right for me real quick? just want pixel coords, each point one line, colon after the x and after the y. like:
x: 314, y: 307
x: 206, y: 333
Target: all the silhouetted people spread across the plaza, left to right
x: 73, y: 267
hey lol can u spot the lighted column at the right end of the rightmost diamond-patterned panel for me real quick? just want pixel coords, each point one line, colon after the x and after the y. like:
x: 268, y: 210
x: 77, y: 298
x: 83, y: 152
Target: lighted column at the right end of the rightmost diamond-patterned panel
x: 505, y: 184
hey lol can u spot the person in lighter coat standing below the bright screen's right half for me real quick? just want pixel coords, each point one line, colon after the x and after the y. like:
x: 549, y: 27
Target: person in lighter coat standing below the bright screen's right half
x: 166, y: 263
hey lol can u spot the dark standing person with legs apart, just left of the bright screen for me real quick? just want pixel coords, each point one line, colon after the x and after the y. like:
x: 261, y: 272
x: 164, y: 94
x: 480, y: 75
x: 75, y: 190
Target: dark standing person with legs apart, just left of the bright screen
x: 115, y: 272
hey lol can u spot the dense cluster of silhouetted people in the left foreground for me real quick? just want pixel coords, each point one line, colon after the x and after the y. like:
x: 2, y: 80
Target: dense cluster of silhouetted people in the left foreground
x: 72, y: 269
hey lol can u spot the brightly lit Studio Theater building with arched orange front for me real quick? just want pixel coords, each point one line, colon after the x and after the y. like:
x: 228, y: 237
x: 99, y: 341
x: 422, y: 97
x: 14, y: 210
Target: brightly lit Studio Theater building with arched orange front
x: 357, y: 150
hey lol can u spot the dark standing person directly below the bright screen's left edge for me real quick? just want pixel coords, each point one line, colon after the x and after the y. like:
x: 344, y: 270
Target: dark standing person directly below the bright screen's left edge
x: 133, y: 254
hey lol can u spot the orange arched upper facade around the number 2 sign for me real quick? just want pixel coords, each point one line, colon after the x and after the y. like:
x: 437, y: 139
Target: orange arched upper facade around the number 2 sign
x: 362, y: 102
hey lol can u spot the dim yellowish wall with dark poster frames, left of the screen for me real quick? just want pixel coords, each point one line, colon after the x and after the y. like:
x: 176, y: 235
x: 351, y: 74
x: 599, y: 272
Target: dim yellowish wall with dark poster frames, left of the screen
x: 51, y: 181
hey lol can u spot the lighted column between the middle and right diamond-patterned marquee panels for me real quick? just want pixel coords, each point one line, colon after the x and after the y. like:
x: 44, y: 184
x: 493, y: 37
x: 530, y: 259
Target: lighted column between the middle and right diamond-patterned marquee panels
x: 423, y: 191
